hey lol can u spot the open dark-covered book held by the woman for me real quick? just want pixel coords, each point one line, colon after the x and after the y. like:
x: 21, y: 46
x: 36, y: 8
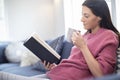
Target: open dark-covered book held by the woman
x: 41, y: 49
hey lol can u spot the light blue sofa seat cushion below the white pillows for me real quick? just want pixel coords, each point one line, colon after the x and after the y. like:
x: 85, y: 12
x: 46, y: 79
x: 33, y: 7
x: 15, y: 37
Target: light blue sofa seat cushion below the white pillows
x: 24, y: 71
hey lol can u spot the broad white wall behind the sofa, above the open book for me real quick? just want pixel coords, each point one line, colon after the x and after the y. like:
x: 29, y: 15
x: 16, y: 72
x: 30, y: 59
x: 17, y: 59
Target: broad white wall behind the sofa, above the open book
x: 26, y: 16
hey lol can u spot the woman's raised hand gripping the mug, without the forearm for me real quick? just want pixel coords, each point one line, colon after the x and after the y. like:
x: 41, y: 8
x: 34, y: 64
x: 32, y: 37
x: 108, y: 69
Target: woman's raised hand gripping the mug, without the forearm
x: 78, y: 40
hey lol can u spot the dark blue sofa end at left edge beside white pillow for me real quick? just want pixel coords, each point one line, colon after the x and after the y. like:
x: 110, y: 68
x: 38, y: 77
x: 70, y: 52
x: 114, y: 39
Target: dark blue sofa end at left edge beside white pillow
x: 2, y: 50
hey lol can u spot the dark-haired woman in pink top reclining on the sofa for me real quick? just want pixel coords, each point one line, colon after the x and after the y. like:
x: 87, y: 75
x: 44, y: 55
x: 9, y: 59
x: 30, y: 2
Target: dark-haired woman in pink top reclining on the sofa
x: 94, y: 53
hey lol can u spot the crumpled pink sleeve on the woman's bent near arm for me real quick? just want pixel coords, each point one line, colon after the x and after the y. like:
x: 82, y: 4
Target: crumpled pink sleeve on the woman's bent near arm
x: 107, y: 57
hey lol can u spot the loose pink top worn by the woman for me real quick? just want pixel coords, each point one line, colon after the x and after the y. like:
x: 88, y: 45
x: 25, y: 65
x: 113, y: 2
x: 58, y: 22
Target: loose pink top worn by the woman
x: 102, y: 44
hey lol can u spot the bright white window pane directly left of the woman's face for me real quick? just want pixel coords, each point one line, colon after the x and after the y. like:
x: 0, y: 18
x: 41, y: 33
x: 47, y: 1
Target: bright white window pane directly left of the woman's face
x: 72, y: 12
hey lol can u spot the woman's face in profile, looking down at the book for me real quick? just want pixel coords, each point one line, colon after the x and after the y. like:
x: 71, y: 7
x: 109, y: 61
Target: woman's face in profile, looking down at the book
x: 90, y: 21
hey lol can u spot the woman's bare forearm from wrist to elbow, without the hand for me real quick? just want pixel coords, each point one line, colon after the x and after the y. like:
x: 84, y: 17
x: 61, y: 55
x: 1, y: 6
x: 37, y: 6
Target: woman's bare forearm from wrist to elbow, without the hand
x: 91, y: 62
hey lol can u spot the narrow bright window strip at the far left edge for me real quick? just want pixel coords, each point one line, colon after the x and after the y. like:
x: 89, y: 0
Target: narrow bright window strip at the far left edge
x: 3, y: 29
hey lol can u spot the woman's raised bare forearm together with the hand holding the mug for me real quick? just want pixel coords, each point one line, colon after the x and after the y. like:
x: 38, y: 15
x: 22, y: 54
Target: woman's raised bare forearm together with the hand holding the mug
x: 92, y: 63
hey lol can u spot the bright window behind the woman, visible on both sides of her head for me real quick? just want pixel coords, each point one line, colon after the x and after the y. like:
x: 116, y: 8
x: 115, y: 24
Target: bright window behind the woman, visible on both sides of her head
x: 72, y: 12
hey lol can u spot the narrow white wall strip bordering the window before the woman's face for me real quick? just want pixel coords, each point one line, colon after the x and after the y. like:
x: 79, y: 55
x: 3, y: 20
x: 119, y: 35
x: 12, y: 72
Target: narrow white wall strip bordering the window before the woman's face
x: 59, y: 17
